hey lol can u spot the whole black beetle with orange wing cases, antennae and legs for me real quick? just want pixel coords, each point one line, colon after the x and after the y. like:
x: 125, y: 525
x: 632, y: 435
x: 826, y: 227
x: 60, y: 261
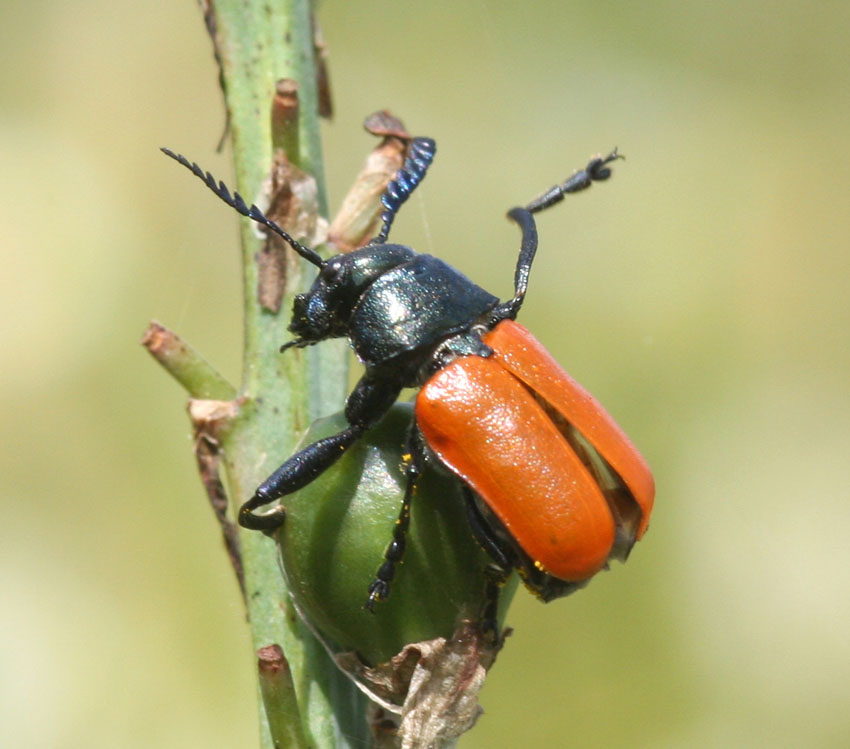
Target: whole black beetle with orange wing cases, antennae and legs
x: 553, y: 487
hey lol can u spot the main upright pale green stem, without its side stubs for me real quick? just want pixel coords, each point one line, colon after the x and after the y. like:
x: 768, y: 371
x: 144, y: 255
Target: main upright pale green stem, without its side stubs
x: 258, y: 43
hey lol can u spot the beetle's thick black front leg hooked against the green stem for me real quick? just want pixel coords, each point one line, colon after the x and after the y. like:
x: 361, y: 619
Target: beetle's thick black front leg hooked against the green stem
x: 368, y: 402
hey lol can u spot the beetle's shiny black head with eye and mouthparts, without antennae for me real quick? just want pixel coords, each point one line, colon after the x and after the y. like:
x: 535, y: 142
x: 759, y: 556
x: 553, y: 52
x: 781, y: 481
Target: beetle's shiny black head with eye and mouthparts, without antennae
x: 325, y: 310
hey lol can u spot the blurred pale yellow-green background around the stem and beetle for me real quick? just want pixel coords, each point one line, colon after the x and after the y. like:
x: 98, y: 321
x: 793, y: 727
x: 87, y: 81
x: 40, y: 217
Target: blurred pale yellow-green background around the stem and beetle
x: 702, y: 295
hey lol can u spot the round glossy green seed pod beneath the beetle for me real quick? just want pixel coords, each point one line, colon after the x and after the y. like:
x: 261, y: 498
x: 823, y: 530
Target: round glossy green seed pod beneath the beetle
x: 338, y: 527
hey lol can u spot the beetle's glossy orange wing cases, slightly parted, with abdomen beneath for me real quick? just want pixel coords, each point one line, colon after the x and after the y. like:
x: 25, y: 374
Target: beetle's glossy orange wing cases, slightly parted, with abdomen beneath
x: 558, y: 485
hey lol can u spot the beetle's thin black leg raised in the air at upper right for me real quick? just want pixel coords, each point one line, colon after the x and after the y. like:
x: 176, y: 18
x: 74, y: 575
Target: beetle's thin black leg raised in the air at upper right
x: 595, y: 171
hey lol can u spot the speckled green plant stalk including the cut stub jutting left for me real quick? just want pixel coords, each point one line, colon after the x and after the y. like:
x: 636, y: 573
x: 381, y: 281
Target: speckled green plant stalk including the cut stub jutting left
x: 257, y: 43
